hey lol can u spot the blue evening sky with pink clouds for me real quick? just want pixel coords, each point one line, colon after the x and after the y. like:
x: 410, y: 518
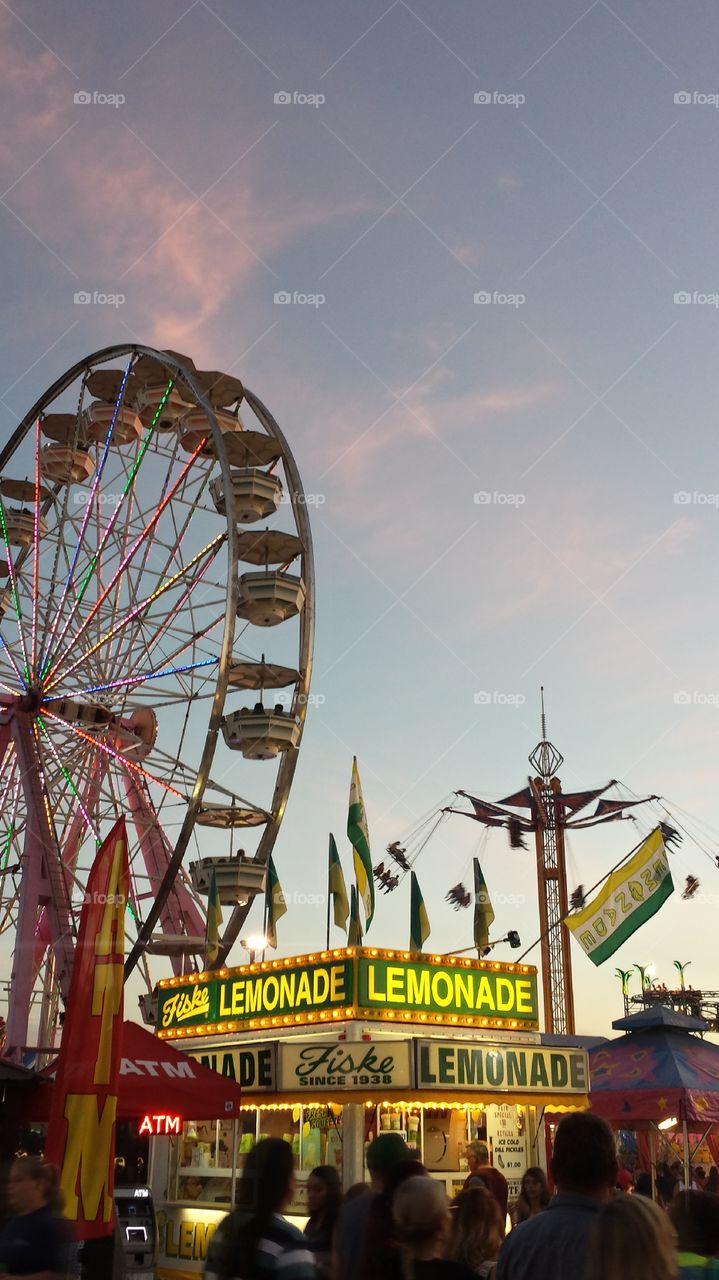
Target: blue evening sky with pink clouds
x: 466, y: 255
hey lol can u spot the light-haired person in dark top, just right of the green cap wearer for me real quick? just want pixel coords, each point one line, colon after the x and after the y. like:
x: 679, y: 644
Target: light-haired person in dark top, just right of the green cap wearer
x: 422, y: 1226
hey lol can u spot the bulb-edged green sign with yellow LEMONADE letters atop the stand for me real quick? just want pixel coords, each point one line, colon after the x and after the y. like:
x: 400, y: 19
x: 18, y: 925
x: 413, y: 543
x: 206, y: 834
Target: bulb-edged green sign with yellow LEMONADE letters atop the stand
x: 350, y: 984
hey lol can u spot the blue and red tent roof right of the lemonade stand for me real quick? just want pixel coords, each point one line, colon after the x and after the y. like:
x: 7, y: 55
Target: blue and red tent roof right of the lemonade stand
x: 660, y: 1069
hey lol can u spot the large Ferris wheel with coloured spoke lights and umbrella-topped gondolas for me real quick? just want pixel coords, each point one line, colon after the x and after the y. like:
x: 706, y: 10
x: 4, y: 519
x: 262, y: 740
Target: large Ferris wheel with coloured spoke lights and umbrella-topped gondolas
x: 135, y: 606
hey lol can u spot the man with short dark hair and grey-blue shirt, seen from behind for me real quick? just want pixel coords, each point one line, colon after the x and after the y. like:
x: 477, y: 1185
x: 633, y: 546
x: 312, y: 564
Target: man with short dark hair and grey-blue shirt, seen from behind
x: 553, y: 1246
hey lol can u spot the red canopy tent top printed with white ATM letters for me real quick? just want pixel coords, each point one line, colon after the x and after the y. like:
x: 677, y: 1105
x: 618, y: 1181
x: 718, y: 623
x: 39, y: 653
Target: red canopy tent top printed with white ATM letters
x: 157, y: 1078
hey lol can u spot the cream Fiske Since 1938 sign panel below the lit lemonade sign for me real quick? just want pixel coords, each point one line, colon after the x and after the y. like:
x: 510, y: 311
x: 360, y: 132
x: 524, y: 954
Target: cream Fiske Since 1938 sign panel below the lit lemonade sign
x: 345, y: 1067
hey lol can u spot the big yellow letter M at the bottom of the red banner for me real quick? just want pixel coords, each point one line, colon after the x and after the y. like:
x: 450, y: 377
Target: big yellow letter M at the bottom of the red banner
x: 88, y: 1158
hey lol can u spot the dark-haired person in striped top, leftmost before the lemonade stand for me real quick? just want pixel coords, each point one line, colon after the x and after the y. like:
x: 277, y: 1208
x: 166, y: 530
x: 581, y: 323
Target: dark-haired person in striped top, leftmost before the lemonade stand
x: 255, y: 1242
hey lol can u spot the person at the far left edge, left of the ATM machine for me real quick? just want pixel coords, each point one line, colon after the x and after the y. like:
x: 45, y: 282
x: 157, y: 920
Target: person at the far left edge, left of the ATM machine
x: 36, y: 1242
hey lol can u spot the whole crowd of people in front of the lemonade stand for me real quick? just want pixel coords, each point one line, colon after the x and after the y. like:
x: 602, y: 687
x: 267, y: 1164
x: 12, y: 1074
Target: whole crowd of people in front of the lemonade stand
x: 598, y: 1223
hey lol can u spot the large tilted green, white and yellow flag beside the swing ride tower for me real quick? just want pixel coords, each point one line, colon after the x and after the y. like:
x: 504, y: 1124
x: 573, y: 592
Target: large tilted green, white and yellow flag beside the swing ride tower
x: 629, y: 898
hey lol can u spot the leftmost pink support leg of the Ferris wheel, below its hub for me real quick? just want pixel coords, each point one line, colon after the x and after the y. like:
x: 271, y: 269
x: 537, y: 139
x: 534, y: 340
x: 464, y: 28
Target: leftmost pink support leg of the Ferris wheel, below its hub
x: 43, y: 886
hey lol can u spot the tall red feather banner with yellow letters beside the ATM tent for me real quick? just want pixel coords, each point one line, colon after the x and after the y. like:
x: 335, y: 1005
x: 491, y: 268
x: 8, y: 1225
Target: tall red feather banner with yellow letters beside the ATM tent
x: 81, y: 1133
